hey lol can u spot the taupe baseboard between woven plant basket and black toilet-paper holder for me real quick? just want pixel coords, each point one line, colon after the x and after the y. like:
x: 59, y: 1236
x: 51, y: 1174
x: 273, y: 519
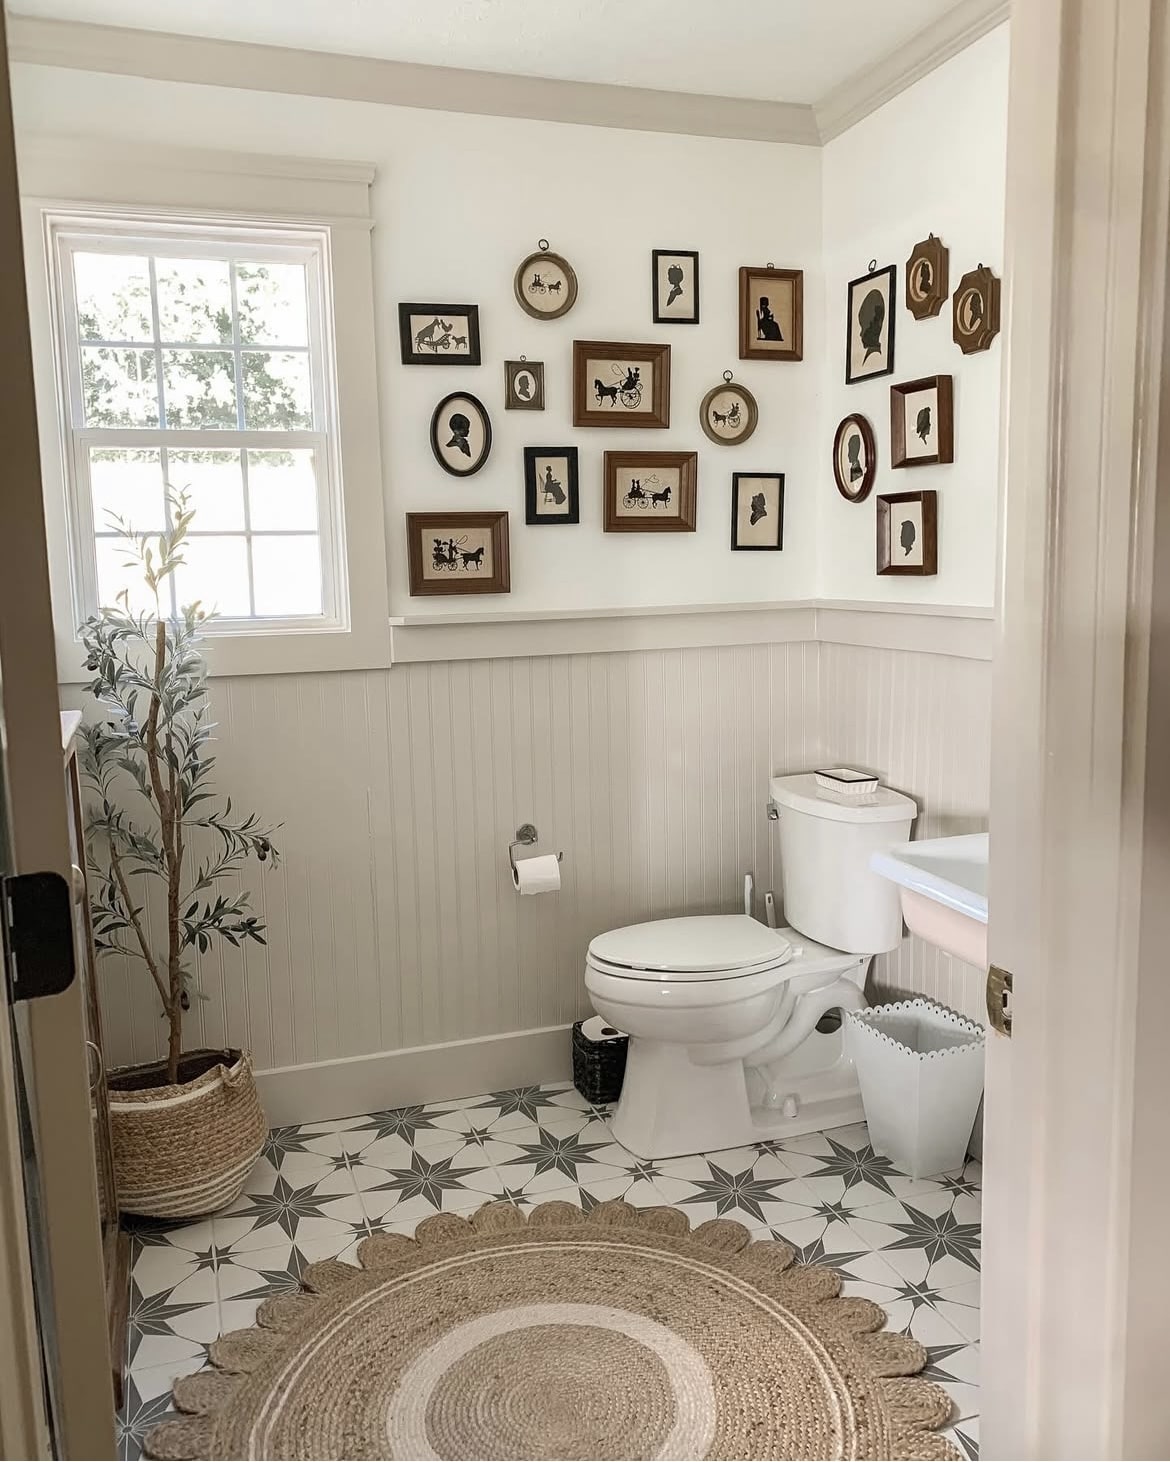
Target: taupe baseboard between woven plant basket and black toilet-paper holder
x: 322, y: 1091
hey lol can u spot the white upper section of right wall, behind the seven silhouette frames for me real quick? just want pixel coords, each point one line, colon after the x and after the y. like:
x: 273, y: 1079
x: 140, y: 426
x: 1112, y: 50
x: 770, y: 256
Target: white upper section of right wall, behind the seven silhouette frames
x: 932, y: 160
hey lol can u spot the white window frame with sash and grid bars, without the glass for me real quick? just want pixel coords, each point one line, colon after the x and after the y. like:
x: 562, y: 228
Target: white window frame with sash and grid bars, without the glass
x: 100, y: 232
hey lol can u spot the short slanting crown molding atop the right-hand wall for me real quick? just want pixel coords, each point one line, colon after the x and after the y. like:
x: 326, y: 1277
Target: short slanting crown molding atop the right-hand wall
x: 875, y: 86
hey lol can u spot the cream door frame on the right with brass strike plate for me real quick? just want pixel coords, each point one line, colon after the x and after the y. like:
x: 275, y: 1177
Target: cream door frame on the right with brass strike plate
x: 1073, y: 1317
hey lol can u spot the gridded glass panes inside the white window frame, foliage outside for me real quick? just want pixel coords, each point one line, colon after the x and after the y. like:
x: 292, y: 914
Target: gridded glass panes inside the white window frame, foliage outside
x: 273, y: 381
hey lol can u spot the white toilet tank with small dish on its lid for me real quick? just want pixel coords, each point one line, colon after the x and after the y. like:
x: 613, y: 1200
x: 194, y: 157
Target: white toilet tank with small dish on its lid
x: 830, y: 893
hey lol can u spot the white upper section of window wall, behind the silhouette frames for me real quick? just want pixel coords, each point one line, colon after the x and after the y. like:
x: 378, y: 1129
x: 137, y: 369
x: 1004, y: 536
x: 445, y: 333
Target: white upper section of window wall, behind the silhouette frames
x: 458, y: 204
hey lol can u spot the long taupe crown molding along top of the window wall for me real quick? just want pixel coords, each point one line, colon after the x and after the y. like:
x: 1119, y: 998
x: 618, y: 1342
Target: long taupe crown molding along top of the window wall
x: 163, y: 56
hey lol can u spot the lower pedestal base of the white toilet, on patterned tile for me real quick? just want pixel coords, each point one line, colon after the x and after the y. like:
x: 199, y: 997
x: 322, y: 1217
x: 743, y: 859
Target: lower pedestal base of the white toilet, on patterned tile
x: 673, y: 1106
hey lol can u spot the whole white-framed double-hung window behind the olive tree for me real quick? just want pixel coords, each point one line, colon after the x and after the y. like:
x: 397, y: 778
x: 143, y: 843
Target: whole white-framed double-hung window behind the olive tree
x: 198, y: 360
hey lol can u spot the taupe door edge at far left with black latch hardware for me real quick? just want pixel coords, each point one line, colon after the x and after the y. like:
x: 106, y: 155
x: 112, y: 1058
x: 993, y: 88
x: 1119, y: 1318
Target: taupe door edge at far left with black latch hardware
x: 55, y: 1164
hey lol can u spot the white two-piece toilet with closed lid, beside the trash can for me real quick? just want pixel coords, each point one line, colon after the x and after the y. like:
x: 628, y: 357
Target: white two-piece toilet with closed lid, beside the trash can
x: 723, y: 1011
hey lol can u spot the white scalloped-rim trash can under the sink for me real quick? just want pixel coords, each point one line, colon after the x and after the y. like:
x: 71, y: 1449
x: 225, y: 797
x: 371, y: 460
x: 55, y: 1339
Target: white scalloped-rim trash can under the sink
x: 921, y: 1068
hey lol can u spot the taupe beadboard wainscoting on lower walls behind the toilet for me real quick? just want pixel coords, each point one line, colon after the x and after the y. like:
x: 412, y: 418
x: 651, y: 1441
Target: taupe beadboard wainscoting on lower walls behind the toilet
x: 393, y: 919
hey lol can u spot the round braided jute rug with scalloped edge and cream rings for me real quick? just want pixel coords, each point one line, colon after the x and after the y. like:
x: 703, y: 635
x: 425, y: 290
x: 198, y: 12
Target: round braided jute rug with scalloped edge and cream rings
x: 618, y: 1334
